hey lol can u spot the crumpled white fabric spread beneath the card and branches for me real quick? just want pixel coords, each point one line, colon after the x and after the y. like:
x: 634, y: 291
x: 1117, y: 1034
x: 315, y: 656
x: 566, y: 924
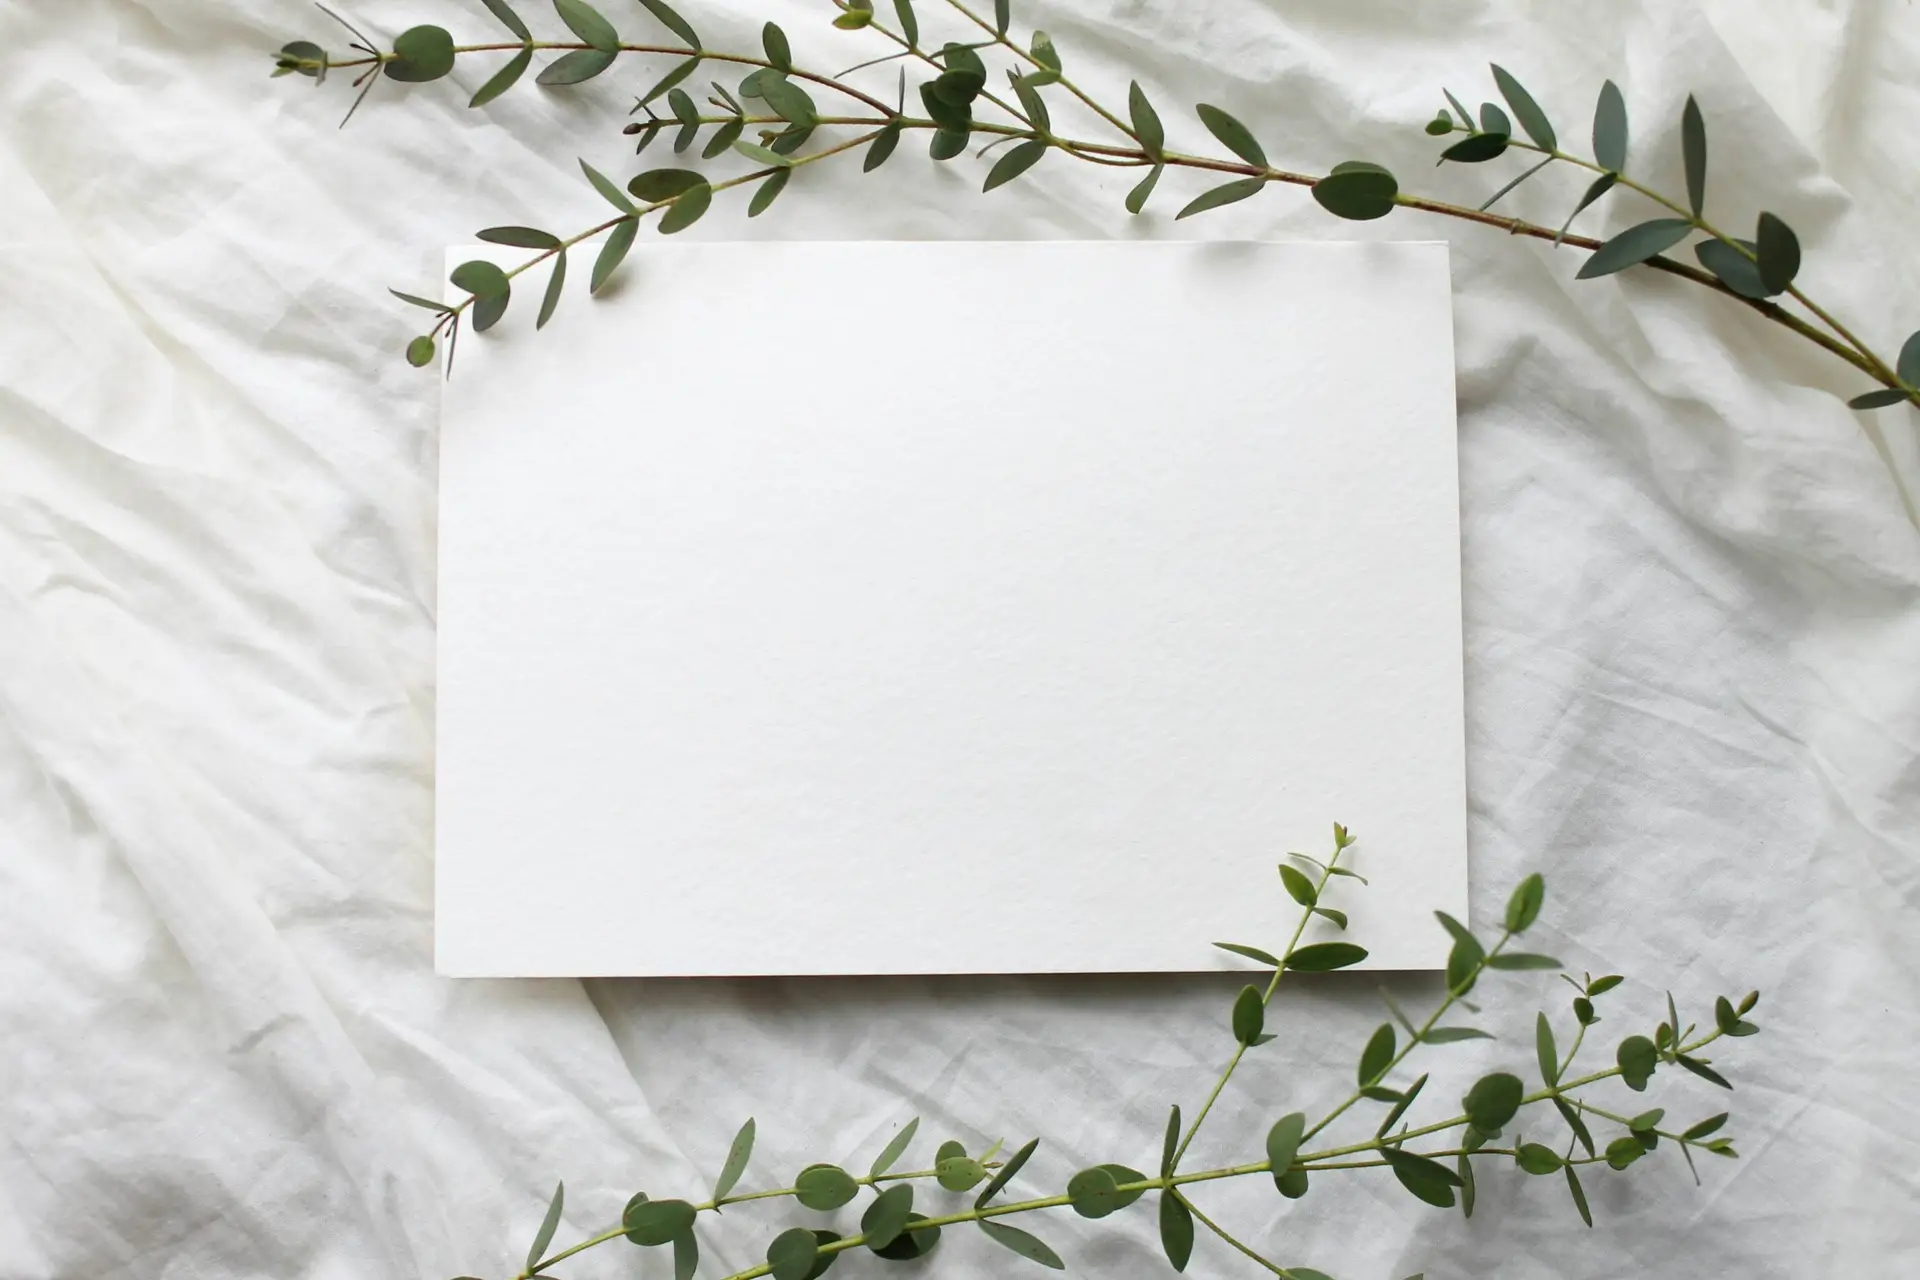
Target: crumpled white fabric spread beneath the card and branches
x: 1691, y: 667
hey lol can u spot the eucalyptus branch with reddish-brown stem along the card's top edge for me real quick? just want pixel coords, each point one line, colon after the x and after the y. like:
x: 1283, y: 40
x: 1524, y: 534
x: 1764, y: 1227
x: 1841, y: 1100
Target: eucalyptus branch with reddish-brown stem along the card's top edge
x: 1750, y: 272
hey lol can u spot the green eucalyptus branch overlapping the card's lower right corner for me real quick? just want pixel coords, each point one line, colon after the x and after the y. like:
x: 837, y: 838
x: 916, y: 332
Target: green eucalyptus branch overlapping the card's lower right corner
x: 894, y: 1231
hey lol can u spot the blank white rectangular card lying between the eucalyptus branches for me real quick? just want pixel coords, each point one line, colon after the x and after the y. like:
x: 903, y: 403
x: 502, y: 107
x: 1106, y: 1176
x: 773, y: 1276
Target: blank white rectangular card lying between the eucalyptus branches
x: 951, y: 609
